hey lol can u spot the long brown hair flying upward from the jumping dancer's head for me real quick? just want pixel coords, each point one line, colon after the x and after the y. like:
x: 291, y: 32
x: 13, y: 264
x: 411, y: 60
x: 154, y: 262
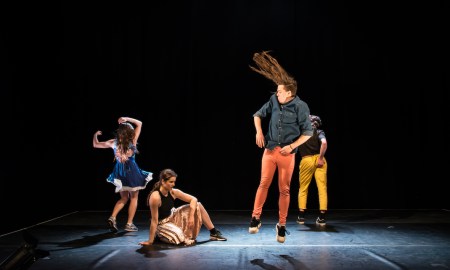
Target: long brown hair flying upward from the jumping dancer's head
x: 272, y: 70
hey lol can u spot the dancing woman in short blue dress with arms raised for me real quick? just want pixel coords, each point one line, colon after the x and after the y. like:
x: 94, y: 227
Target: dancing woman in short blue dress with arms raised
x: 126, y: 175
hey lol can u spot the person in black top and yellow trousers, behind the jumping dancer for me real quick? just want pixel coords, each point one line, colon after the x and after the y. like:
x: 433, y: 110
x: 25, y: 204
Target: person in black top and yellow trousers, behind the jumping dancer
x: 313, y: 163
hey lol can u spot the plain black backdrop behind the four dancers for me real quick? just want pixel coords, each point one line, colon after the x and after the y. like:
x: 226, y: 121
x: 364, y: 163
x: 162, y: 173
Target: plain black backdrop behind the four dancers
x: 375, y: 71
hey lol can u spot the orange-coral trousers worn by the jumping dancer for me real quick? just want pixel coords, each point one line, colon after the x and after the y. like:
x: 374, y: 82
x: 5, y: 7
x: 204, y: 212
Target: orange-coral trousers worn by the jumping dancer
x: 271, y: 160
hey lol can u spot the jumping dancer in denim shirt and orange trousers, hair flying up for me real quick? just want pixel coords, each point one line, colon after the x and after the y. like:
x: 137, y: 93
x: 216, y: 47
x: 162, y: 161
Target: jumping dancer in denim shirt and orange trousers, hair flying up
x: 289, y: 127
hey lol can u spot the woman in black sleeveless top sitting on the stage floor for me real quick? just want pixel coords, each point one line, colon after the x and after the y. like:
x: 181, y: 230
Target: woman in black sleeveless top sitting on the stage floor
x: 176, y: 225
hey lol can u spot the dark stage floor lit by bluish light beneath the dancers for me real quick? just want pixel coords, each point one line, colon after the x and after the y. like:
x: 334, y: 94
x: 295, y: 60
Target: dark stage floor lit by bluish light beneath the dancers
x: 352, y: 239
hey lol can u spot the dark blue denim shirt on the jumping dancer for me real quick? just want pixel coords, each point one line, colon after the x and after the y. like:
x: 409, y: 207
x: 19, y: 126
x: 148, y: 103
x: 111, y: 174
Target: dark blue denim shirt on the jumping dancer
x: 287, y: 121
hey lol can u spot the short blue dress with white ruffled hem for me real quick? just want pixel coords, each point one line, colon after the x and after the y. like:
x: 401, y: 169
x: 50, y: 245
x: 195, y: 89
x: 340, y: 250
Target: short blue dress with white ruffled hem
x: 128, y: 176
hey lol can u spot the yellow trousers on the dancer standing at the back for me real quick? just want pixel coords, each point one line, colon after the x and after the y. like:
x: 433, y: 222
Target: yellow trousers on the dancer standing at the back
x: 307, y: 170
